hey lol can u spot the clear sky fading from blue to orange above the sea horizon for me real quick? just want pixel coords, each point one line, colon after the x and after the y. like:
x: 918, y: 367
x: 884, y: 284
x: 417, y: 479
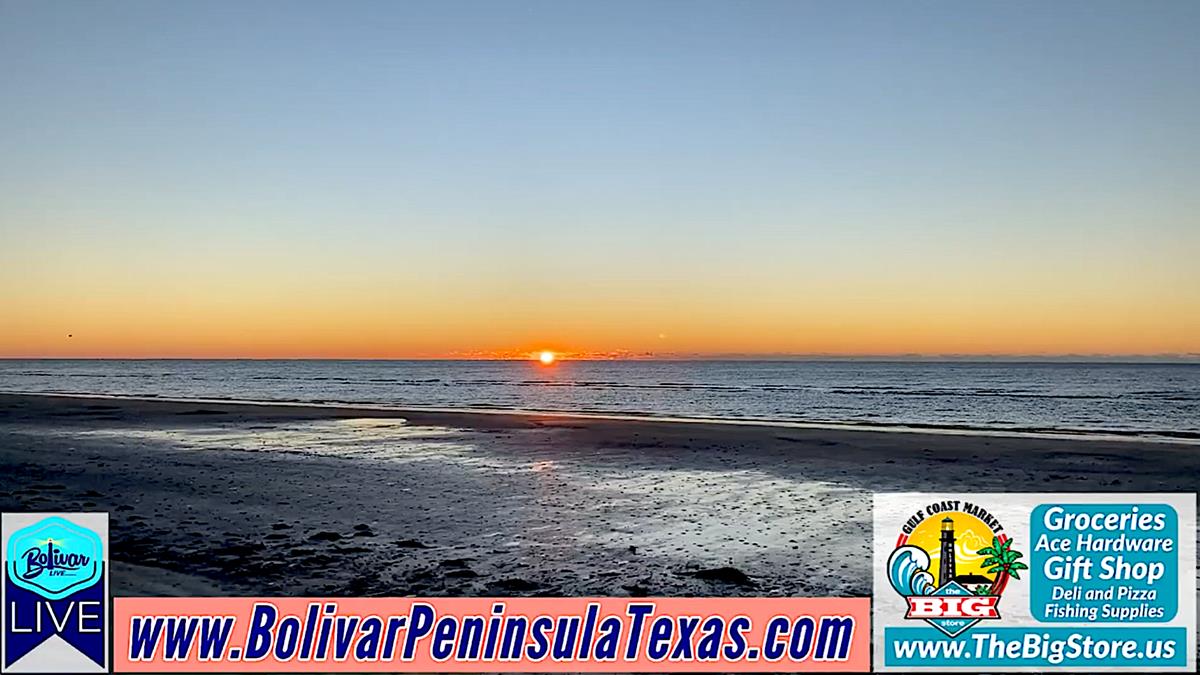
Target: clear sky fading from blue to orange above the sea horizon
x: 411, y: 180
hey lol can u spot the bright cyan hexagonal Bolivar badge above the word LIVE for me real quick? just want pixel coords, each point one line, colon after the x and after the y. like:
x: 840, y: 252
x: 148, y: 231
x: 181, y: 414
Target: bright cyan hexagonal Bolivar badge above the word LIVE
x: 56, y: 558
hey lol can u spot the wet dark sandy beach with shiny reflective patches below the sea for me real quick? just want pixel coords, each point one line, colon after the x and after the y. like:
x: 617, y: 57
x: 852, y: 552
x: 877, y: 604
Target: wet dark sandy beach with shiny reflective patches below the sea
x: 232, y: 499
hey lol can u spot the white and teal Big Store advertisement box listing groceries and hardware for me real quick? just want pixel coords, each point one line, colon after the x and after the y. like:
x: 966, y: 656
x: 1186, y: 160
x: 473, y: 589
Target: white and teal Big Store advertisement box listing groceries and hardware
x: 1035, y: 582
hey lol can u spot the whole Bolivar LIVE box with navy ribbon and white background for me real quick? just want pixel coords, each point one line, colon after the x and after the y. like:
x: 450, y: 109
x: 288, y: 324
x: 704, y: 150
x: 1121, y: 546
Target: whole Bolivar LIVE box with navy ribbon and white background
x: 56, y: 594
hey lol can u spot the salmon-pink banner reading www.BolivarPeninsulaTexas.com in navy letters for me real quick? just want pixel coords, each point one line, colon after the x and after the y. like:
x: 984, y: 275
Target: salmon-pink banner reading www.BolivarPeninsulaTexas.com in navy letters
x: 491, y: 635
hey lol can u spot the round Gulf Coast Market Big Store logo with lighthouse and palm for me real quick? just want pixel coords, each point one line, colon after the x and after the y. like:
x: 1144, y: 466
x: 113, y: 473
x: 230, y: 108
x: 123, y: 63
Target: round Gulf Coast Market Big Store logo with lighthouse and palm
x: 975, y: 563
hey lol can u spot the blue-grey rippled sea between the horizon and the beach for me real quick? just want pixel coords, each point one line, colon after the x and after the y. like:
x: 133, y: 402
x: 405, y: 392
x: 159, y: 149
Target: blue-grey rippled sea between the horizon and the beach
x: 1089, y: 398
